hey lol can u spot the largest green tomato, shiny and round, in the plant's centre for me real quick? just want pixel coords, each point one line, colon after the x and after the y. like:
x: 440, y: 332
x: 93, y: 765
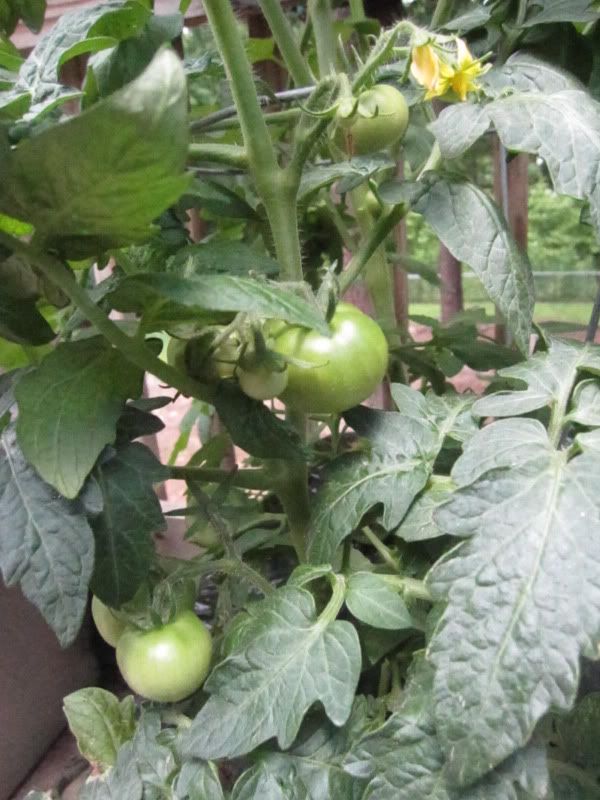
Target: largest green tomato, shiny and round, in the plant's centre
x: 348, y: 365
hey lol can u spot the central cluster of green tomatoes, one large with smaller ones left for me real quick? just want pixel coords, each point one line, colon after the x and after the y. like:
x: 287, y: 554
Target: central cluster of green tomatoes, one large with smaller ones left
x: 307, y: 370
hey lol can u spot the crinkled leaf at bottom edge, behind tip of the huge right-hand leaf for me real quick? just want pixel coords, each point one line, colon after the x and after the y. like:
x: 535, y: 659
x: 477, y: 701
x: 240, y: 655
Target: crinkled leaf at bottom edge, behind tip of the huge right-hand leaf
x: 403, y: 759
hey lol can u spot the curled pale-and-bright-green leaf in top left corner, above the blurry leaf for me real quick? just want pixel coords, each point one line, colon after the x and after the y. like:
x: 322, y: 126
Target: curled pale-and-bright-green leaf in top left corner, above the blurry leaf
x: 86, y: 30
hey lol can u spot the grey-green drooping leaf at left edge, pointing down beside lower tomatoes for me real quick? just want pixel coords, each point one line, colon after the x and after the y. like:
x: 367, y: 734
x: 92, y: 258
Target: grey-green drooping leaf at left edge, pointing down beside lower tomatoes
x: 46, y: 544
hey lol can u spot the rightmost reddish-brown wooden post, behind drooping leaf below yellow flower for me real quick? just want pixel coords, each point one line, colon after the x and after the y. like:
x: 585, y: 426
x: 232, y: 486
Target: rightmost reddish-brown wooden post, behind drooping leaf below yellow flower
x: 511, y: 187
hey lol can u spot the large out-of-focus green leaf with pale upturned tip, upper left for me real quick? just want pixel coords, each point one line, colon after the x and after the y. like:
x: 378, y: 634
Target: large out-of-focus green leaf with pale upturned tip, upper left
x: 84, y: 200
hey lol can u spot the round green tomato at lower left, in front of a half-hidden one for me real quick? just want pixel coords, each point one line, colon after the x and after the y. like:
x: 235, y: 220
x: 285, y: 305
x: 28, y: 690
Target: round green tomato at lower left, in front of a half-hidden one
x: 168, y: 663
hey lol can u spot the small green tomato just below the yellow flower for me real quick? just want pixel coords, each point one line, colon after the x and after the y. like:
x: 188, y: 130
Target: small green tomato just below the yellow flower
x: 379, y: 121
